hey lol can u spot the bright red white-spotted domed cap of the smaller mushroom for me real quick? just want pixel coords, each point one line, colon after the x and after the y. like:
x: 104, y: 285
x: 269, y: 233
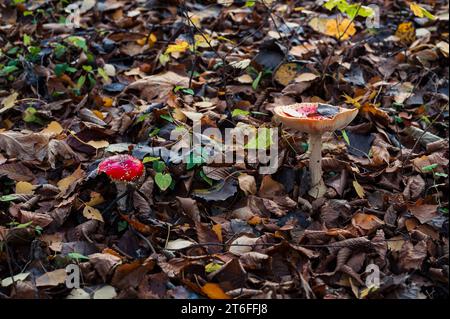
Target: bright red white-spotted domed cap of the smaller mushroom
x: 124, y: 168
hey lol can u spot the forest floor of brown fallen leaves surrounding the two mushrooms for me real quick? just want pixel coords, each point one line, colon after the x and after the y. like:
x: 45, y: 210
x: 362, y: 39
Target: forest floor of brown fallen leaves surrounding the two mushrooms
x: 82, y: 81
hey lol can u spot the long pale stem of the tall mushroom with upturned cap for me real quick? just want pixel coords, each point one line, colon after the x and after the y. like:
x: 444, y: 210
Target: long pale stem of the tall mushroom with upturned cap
x: 318, y: 188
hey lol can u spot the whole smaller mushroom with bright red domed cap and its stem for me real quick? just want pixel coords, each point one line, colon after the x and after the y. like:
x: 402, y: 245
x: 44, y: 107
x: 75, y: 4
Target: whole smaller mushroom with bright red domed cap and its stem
x: 124, y: 171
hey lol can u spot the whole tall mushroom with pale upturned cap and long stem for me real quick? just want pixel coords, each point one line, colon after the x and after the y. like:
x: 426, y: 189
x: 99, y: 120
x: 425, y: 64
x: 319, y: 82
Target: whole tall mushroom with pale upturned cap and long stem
x: 315, y: 119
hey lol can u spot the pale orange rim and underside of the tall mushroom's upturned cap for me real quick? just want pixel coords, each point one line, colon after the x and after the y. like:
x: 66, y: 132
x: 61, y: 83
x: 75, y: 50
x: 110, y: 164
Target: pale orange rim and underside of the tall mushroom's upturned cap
x: 314, y: 125
